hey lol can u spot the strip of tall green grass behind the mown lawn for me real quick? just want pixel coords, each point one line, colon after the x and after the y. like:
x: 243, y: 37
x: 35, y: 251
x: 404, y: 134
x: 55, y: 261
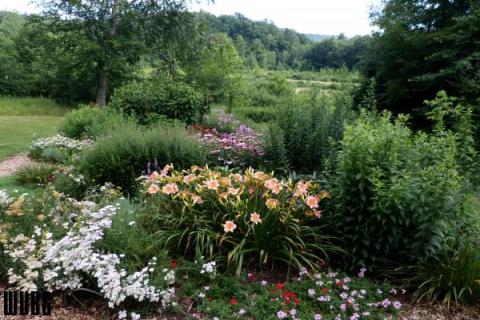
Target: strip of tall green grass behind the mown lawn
x: 29, y: 106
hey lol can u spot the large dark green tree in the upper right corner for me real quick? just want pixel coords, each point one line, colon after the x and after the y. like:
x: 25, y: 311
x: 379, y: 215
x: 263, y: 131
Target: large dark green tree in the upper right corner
x: 424, y: 46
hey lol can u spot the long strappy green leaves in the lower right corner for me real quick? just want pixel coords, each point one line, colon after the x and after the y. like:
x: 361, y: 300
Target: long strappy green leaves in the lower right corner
x: 453, y: 274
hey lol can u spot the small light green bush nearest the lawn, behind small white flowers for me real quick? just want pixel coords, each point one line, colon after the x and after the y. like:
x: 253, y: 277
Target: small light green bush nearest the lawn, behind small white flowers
x: 89, y: 122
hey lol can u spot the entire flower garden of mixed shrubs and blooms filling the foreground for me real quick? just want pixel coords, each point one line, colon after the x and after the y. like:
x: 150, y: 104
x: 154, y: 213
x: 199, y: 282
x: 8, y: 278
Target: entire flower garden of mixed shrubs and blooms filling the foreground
x: 318, y: 211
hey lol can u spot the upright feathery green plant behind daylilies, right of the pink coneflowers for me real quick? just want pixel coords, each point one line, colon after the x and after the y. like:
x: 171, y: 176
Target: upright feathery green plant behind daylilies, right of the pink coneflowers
x: 310, y: 125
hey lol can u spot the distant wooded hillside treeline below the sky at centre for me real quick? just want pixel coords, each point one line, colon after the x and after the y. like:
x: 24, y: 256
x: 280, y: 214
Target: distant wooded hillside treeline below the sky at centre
x: 262, y: 44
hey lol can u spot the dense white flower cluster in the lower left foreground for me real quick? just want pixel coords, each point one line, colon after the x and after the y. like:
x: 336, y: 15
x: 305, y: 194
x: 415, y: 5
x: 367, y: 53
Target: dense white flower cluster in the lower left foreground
x: 62, y: 263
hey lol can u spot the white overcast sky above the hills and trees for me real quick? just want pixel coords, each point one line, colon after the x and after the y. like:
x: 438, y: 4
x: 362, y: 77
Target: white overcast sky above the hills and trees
x: 307, y: 16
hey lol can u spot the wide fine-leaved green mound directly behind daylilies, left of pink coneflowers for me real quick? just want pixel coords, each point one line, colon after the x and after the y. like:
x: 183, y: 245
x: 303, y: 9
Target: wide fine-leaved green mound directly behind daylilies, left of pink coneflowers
x: 122, y: 155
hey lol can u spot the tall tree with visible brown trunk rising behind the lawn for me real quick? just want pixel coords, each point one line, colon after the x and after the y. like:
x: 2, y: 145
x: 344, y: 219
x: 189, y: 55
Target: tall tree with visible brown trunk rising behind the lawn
x: 116, y: 30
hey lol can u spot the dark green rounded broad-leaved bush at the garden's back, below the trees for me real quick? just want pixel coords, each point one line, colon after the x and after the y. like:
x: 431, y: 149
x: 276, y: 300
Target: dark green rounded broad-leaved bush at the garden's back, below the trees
x: 173, y: 99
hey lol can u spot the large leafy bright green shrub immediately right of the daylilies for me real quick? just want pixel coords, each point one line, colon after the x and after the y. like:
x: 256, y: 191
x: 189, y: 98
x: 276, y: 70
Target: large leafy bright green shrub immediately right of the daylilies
x: 396, y: 191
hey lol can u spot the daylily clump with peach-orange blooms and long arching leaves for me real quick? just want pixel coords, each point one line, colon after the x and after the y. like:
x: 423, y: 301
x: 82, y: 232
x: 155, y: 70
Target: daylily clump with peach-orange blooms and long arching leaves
x: 236, y: 218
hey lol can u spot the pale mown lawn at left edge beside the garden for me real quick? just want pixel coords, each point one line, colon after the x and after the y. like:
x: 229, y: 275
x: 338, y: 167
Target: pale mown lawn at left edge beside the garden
x: 16, y: 132
